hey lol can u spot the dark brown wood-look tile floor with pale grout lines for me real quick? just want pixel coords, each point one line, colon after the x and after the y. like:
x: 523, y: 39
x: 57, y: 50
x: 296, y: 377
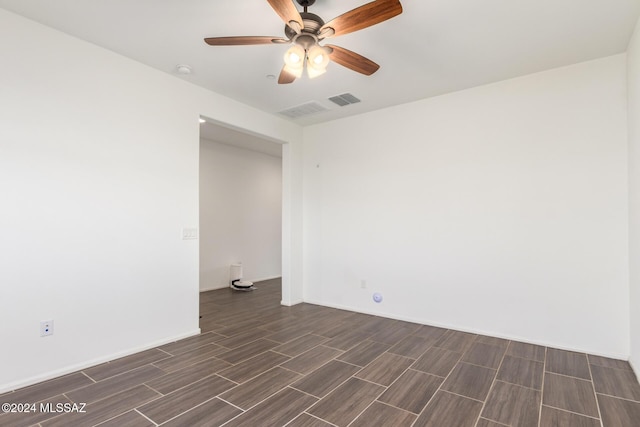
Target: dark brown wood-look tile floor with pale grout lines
x: 260, y: 364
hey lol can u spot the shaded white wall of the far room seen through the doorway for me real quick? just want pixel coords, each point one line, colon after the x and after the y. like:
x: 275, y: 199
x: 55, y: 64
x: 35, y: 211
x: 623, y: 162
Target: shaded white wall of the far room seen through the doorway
x: 240, y: 214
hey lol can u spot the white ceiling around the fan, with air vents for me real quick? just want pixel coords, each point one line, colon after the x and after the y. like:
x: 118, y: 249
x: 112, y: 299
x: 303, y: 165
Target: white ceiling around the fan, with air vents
x: 433, y: 47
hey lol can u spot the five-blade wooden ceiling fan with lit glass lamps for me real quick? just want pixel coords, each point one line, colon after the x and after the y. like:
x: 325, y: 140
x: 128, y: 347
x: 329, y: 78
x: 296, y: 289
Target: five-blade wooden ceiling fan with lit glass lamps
x: 305, y: 31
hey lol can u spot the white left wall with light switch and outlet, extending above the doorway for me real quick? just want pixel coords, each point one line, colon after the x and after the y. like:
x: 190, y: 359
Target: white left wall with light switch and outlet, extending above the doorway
x: 98, y: 174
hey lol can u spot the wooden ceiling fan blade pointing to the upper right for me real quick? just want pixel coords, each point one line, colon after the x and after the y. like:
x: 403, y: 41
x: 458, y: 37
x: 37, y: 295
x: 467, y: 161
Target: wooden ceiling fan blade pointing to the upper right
x: 363, y: 17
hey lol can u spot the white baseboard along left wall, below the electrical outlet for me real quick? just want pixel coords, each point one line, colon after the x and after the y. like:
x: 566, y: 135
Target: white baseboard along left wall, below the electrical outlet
x: 89, y: 363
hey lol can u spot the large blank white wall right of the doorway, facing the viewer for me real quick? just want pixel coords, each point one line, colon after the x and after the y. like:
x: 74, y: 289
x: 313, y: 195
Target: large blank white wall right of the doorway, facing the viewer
x: 501, y: 210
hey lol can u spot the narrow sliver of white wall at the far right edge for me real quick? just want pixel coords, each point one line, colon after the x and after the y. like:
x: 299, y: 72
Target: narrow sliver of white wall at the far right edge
x: 633, y: 85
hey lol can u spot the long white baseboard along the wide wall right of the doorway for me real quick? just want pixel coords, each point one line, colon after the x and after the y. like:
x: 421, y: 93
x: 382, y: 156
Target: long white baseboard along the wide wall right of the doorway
x: 471, y: 330
